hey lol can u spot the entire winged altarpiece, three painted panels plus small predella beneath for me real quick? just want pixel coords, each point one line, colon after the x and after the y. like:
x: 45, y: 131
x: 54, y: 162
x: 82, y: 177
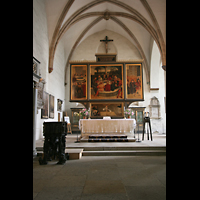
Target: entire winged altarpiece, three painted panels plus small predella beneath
x: 106, y: 87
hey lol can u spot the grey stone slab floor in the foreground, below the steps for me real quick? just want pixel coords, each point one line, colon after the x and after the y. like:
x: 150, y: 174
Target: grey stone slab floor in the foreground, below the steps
x: 101, y: 178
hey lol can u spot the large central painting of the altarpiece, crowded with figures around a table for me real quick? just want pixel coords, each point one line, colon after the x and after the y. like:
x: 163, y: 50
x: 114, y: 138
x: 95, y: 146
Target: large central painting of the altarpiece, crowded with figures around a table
x: 106, y: 81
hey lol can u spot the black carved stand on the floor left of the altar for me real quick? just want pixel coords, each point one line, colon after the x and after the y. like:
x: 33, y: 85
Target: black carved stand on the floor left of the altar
x: 54, y: 143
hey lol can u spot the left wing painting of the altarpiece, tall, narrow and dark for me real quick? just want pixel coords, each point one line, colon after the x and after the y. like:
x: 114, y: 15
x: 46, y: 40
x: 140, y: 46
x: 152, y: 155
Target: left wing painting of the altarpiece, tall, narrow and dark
x: 78, y: 82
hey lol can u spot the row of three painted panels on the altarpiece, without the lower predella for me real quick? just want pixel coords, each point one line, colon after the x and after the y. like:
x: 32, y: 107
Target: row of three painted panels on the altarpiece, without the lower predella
x: 95, y: 82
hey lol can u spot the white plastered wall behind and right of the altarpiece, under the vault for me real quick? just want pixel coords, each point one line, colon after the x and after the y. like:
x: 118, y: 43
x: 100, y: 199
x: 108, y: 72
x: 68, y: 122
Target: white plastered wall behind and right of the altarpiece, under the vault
x: 125, y: 51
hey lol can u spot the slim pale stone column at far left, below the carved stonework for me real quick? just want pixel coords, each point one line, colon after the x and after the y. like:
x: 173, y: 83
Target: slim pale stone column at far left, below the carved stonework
x: 34, y: 116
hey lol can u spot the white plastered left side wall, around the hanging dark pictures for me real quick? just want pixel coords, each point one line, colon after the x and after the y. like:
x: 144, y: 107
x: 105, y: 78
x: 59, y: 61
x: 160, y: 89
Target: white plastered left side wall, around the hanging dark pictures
x: 54, y: 80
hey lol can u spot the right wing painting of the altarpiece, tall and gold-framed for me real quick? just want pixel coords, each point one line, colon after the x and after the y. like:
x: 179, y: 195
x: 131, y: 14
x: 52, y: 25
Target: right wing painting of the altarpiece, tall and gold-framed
x: 134, y: 82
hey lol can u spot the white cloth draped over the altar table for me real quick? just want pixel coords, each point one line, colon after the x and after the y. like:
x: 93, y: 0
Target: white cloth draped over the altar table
x: 106, y: 126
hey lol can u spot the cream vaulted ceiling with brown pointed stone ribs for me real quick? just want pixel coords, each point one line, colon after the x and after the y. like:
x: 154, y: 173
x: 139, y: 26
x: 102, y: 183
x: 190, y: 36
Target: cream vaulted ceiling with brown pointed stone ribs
x: 140, y: 21
